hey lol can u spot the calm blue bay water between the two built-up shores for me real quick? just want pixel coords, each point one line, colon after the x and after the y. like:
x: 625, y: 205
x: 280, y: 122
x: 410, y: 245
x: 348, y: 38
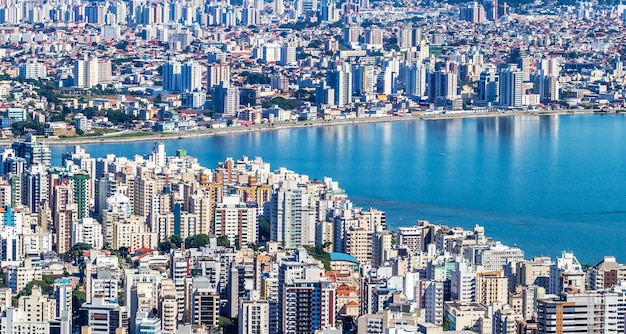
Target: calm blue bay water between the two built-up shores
x: 543, y: 183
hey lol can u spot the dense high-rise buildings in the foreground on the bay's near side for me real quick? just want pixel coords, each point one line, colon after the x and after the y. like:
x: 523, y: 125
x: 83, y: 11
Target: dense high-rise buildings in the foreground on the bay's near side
x: 158, y: 244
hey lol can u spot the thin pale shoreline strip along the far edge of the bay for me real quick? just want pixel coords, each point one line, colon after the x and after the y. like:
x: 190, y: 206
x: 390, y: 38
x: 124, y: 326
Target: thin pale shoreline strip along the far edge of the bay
x: 140, y: 136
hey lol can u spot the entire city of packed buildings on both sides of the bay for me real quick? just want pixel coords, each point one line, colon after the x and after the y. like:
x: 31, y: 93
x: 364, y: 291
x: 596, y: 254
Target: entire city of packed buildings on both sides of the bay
x: 156, y: 244
